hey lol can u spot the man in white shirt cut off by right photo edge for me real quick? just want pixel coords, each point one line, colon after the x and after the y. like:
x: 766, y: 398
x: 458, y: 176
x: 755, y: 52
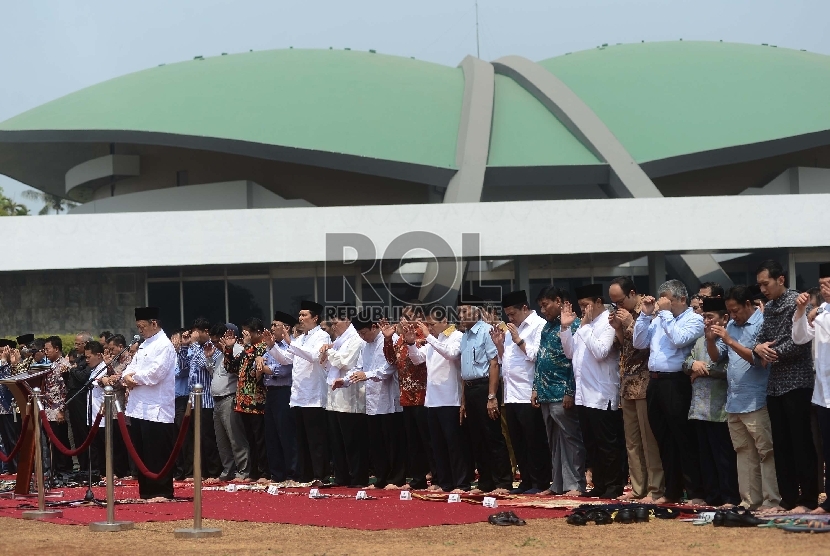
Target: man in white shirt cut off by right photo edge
x: 815, y: 326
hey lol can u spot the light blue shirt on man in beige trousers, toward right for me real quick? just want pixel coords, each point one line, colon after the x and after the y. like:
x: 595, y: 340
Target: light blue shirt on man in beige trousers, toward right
x: 746, y: 388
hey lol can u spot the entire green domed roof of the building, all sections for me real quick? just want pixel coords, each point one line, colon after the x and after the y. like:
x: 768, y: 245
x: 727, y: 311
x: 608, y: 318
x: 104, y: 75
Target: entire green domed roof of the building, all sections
x: 661, y: 100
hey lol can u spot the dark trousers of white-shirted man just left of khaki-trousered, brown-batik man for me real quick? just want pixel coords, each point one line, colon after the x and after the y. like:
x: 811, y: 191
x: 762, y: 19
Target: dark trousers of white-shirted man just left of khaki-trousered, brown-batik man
x: 604, y: 438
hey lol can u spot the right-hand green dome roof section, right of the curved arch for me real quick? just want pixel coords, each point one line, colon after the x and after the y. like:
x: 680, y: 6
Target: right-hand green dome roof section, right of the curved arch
x: 668, y: 99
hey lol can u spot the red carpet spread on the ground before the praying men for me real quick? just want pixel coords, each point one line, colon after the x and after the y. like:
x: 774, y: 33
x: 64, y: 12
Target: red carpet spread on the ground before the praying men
x: 290, y: 506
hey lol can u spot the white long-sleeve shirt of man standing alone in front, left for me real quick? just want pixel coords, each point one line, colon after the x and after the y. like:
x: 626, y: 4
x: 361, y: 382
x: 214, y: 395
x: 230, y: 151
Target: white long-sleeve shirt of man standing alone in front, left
x: 154, y: 370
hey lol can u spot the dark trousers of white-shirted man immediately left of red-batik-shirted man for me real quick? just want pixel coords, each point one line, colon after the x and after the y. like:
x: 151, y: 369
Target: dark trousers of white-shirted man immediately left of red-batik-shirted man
x: 387, y: 448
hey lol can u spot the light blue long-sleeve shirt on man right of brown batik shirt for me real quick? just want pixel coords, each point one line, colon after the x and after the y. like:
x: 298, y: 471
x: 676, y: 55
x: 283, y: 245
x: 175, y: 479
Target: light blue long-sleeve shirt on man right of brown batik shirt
x: 670, y: 338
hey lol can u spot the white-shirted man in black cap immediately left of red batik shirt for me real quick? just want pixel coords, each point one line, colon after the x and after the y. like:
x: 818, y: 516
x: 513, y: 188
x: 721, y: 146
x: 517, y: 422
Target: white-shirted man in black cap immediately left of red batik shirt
x: 384, y: 414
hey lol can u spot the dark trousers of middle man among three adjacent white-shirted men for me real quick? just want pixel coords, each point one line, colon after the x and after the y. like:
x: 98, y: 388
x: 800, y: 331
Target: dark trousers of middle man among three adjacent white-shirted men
x: 349, y: 449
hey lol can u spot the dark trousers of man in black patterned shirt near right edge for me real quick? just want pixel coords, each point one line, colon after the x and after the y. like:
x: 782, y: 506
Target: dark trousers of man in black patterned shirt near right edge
x: 795, y: 452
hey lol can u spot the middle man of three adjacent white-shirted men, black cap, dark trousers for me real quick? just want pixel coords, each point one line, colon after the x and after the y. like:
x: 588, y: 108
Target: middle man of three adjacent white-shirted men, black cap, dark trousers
x: 346, y: 407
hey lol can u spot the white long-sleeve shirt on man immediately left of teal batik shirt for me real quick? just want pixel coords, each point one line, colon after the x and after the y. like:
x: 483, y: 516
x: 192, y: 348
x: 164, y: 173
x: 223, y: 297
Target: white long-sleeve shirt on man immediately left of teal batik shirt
x: 518, y: 367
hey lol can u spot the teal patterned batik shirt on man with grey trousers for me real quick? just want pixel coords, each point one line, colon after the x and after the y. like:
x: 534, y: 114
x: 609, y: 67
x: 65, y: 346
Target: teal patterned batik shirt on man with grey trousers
x: 554, y: 377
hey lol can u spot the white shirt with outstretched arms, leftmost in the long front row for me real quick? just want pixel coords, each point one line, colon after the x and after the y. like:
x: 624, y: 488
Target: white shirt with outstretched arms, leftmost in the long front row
x: 308, y: 378
